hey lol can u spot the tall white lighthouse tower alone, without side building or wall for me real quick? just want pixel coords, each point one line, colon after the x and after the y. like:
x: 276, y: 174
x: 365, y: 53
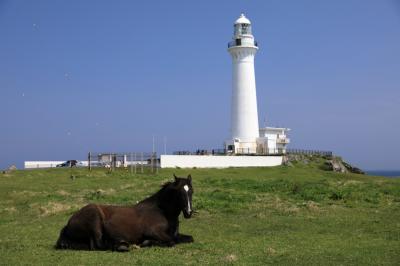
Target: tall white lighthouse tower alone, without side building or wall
x: 244, y: 116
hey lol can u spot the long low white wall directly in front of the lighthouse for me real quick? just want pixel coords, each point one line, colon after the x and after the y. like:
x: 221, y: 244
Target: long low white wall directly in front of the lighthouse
x: 210, y: 161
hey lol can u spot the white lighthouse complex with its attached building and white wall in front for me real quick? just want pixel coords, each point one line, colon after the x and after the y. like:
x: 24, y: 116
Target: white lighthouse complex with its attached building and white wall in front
x: 255, y: 147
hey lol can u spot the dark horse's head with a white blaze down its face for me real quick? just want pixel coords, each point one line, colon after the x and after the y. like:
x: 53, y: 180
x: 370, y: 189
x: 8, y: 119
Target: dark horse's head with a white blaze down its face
x: 185, y: 192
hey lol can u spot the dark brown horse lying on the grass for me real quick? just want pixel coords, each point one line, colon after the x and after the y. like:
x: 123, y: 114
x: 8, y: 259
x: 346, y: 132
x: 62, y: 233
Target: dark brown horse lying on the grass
x: 153, y: 221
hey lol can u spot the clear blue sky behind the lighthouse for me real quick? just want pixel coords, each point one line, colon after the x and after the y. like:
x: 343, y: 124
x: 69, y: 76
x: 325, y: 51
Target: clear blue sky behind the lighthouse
x: 79, y: 76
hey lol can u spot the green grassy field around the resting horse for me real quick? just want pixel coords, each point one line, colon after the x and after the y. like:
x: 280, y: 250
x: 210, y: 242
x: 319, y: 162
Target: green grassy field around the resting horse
x: 297, y: 215
